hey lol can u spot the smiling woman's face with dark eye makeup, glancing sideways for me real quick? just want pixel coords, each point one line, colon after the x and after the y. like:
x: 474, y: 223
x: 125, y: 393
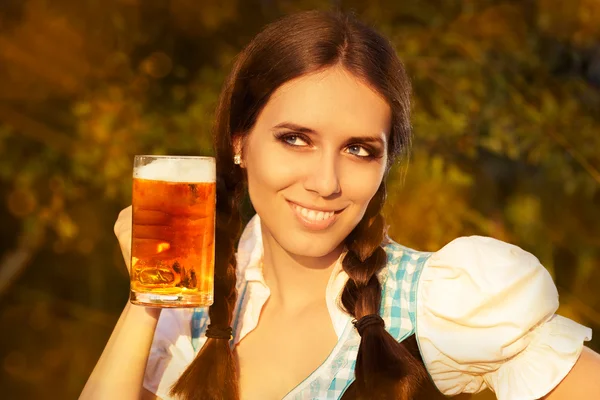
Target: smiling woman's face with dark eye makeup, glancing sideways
x: 315, y: 158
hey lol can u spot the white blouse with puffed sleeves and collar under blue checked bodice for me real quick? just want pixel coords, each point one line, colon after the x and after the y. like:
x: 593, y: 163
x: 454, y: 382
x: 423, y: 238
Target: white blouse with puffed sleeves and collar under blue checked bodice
x: 485, y: 318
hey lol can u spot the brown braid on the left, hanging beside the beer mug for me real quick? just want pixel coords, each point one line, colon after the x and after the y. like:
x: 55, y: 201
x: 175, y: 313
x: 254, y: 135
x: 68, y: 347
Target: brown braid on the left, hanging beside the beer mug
x: 213, y: 375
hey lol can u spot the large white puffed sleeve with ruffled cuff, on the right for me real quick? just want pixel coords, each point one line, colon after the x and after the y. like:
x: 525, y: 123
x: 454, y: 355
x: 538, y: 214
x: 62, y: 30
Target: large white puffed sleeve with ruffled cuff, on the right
x: 486, y: 319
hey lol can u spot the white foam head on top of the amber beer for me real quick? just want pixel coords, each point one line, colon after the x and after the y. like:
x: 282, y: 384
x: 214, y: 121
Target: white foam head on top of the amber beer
x: 178, y: 170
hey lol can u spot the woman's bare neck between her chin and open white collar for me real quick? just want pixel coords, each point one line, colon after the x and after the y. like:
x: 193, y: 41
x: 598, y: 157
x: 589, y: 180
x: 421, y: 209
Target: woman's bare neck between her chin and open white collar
x: 295, y: 282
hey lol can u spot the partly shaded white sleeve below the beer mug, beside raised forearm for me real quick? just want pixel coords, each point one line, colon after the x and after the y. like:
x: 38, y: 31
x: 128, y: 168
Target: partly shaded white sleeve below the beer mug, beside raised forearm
x: 171, y: 351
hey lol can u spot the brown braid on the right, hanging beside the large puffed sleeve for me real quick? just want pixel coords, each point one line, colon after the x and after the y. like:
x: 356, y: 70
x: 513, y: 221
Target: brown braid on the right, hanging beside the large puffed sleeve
x: 385, y: 369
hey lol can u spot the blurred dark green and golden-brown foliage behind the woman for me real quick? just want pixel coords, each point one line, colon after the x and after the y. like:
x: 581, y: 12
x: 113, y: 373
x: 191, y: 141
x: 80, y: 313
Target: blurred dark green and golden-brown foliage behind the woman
x: 507, y: 144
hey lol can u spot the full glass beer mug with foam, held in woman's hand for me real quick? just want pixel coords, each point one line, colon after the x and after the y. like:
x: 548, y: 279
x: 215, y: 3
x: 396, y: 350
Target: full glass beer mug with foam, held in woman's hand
x: 172, y: 251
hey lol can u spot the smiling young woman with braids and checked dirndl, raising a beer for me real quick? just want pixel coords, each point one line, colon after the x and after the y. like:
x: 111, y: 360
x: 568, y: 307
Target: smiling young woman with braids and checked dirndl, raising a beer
x: 318, y: 303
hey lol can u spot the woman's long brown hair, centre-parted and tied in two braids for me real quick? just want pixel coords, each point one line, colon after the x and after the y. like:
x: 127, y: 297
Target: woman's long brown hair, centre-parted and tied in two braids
x: 286, y: 49
